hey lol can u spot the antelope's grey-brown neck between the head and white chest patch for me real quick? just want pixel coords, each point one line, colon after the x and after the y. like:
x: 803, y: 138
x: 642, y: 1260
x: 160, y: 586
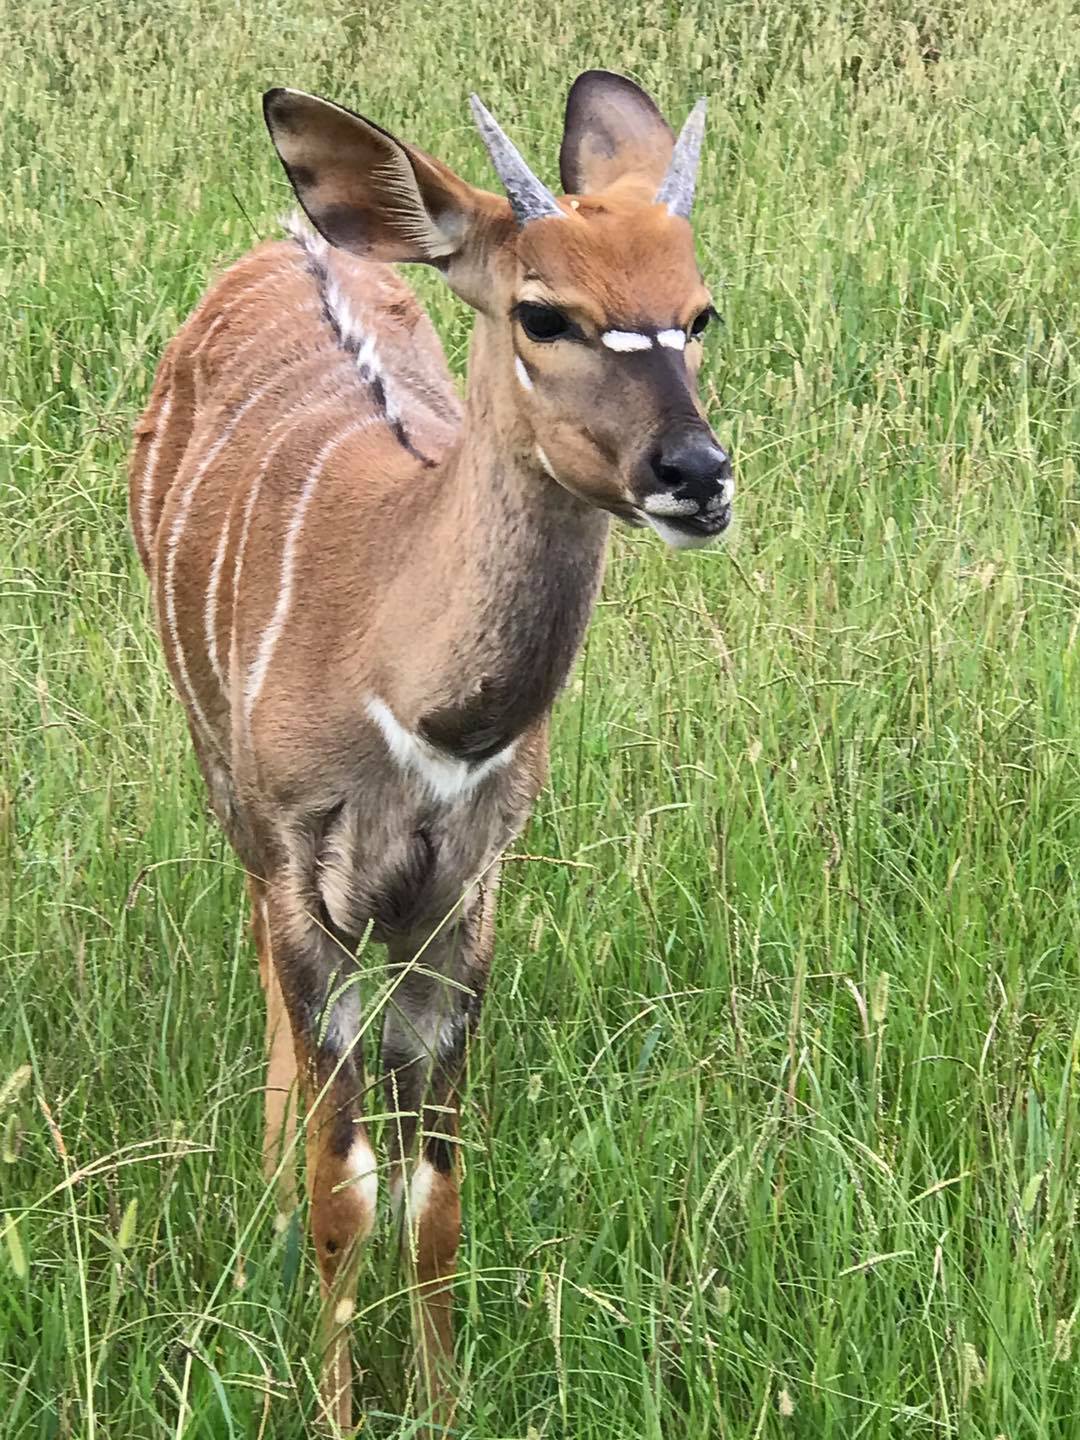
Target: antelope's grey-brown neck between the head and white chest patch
x: 518, y: 568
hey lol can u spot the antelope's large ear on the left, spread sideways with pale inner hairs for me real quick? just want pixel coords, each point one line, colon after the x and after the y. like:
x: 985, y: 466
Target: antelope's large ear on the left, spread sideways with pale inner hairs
x: 378, y: 198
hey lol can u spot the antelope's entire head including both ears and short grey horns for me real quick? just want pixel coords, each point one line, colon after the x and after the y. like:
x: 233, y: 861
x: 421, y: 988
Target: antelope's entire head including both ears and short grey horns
x: 591, y: 305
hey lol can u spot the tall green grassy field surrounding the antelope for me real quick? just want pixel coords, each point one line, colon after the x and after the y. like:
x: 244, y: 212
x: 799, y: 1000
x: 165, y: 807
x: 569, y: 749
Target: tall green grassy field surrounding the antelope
x: 773, y: 1124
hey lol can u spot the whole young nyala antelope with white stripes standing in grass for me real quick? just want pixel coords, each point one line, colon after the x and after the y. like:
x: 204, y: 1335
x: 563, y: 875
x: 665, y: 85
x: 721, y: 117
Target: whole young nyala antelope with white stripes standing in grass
x: 371, y: 594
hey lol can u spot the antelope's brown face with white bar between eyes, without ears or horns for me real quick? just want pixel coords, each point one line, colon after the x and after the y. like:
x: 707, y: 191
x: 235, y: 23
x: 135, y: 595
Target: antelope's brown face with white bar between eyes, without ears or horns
x: 607, y: 323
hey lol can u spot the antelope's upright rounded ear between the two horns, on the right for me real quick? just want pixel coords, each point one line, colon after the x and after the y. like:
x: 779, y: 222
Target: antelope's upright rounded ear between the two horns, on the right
x: 613, y: 129
